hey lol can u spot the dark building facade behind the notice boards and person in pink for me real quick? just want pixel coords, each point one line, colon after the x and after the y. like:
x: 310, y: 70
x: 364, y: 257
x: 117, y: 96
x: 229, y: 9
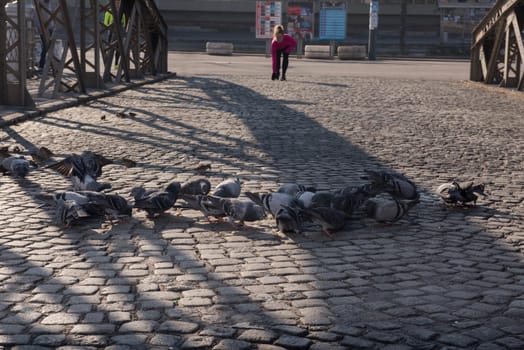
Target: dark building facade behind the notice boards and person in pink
x: 421, y: 25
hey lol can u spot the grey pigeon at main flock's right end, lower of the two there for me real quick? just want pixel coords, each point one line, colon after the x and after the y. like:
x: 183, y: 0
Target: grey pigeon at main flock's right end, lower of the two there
x: 386, y: 210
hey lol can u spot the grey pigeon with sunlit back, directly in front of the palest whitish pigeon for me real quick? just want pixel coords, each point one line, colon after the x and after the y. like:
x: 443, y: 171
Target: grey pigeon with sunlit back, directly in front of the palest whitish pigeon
x: 238, y: 209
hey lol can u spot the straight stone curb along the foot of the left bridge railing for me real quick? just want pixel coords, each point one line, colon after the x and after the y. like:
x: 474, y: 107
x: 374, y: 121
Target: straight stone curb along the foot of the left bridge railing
x: 18, y: 117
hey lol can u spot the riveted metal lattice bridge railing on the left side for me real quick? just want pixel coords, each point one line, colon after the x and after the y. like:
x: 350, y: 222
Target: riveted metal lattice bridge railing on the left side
x: 83, y: 49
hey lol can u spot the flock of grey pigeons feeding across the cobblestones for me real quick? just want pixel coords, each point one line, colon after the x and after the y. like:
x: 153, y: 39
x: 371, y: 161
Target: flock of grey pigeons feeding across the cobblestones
x: 387, y: 197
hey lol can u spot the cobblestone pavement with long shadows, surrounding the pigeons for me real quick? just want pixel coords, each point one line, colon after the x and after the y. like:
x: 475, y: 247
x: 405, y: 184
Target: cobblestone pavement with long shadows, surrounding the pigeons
x: 442, y: 278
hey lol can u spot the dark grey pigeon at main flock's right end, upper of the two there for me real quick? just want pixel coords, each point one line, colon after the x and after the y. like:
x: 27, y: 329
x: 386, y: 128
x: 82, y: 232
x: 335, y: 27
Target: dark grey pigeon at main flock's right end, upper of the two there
x: 395, y: 184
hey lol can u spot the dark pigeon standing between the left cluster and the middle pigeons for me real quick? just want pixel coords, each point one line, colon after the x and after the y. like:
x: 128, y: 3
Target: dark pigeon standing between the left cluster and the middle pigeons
x: 154, y: 201
